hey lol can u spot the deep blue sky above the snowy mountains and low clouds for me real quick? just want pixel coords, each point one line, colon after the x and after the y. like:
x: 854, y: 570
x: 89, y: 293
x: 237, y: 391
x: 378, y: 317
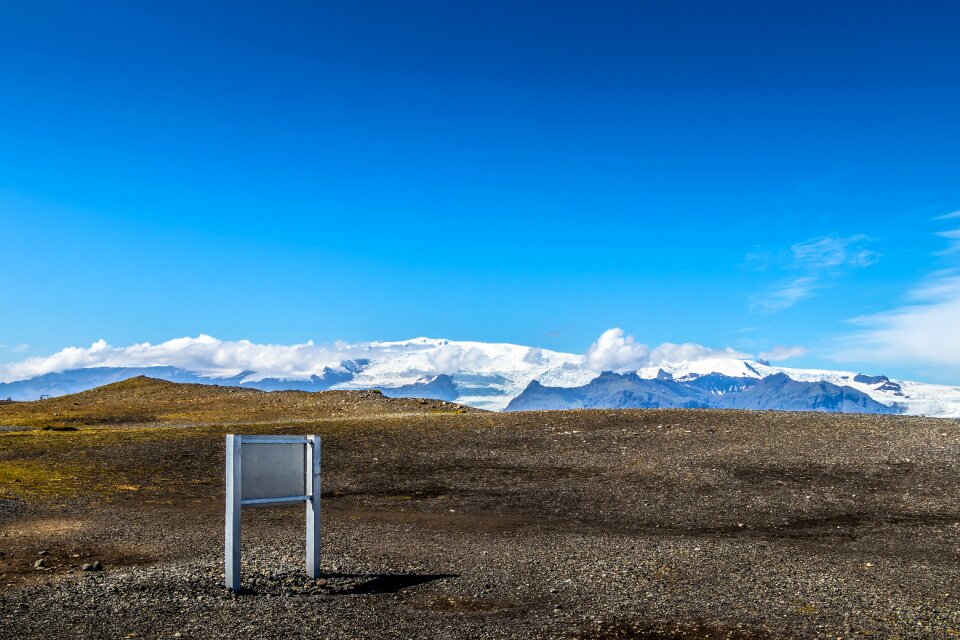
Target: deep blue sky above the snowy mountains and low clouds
x: 745, y: 175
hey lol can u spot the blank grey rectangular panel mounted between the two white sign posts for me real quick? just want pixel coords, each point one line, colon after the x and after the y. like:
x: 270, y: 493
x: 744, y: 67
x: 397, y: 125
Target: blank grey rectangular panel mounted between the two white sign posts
x: 273, y: 470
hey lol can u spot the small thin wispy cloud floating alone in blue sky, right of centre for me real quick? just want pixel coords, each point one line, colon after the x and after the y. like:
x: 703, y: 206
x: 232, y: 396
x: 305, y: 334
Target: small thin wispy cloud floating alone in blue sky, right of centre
x: 814, y: 264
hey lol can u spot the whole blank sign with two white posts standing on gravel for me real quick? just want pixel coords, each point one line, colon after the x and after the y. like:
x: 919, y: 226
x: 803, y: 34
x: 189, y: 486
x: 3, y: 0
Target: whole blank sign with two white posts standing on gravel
x: 263, y: 470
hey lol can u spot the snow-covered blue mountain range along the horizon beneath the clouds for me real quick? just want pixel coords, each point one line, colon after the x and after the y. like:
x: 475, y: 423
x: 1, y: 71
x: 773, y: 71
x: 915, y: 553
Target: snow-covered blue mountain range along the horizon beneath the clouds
x: 515, y: 377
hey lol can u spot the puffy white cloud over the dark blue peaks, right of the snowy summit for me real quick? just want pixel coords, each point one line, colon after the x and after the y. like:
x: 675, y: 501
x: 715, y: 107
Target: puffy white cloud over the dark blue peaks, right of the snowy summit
x: 615, y: 351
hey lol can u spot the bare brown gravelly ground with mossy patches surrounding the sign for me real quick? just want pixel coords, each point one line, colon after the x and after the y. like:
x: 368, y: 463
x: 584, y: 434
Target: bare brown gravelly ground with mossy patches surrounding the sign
x: 447, y: 522
